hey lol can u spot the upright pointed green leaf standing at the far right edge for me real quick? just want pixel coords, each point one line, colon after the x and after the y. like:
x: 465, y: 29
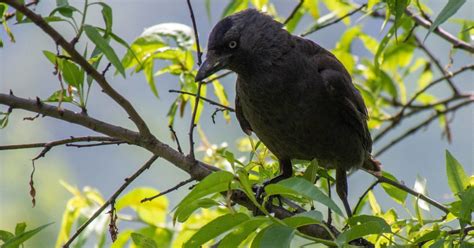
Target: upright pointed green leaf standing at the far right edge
x: 457, y: 178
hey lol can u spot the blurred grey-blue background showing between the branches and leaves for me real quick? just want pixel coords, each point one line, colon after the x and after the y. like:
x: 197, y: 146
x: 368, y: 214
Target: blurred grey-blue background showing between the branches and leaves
x: 25, y: 71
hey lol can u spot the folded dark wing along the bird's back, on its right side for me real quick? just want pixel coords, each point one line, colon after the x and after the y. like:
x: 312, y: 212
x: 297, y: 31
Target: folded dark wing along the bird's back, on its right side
x: 339, y: 86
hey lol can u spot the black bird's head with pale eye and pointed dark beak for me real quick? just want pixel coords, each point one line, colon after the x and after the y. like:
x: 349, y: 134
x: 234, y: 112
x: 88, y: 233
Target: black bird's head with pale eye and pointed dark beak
x: 238, y: 41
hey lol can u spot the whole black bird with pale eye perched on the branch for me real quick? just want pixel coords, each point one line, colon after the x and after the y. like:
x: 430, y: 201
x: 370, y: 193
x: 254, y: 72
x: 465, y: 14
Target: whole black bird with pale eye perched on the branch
x: 293, y: 94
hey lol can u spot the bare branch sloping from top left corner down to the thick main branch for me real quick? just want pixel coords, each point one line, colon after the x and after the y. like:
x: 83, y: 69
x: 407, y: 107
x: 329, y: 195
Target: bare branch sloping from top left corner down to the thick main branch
x: 77, y: 57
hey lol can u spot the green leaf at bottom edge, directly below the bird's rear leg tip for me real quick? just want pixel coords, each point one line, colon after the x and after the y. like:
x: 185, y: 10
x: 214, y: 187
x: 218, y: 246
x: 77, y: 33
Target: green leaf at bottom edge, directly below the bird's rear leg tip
x: 361, y: 226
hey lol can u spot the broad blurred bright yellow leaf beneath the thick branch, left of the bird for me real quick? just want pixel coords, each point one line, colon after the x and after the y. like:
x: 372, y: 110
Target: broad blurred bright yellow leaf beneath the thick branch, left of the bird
x: 152, y: 212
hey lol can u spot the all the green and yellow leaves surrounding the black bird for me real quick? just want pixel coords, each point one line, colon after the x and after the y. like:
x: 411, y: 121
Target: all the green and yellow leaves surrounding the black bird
x: 207, y: 214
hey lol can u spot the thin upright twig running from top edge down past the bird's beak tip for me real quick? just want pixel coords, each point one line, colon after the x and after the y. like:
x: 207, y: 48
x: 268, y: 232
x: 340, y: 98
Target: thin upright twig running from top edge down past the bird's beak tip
x: 198, y: 93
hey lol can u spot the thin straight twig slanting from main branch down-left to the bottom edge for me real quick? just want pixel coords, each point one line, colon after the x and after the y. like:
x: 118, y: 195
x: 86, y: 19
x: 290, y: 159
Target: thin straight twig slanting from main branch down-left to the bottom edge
x: 112, y: 199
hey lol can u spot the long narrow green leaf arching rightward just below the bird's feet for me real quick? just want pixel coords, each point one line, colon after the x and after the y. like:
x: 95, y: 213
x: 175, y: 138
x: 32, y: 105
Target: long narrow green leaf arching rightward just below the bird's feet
x: 299, y: 186
